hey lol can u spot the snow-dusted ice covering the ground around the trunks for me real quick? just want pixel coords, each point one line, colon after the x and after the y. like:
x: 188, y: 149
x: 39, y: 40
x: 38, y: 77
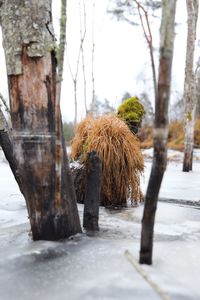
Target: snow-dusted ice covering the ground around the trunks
x: 95, y: 266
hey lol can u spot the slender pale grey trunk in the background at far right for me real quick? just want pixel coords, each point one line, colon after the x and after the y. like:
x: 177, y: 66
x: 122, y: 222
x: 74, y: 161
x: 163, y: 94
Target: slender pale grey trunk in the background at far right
x: 189, y: 85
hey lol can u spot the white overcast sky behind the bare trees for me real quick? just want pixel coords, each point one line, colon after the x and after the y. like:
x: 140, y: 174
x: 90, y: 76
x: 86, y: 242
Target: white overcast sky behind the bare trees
x: 122, y: 61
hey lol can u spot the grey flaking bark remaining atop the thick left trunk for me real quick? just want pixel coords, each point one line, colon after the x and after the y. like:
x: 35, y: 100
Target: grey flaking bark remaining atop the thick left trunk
x: 26, y: 23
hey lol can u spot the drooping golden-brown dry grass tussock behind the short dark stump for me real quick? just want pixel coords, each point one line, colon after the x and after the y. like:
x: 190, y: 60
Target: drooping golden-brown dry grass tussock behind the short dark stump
x: 119, y: 151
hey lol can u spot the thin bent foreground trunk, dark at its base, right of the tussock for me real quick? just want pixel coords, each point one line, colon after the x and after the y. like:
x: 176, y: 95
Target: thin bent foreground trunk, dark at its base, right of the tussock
x: 160, y: 130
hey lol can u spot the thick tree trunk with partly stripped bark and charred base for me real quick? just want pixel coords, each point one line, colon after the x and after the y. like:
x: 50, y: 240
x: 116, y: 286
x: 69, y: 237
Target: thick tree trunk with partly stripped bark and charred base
x: 31, y: 67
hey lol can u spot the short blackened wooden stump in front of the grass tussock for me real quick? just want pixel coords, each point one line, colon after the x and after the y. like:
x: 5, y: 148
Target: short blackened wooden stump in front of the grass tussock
x: 92, y: 194
